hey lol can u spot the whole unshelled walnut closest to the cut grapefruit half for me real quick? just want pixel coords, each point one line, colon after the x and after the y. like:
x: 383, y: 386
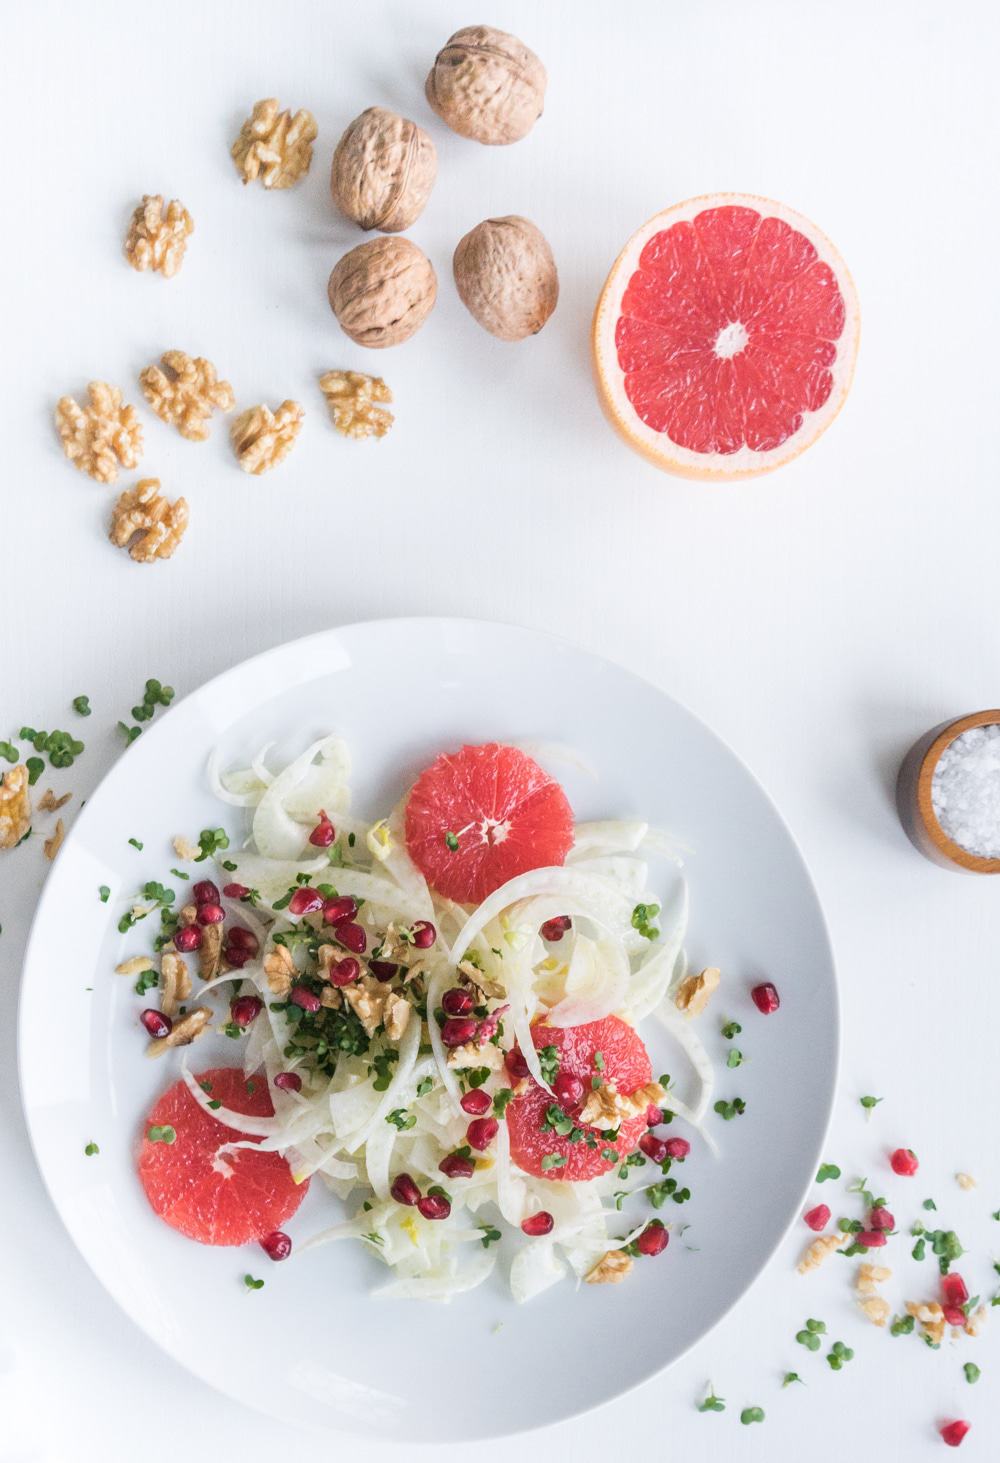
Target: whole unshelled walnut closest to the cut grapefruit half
x: 507, y: 277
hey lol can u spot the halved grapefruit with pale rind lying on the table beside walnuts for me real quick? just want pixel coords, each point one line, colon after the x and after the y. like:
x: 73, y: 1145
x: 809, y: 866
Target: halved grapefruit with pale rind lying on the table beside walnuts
x: 726, y: 337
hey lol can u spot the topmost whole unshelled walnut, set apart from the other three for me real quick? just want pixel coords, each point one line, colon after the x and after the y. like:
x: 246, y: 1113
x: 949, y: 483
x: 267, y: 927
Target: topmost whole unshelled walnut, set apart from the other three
x: 488, y: 86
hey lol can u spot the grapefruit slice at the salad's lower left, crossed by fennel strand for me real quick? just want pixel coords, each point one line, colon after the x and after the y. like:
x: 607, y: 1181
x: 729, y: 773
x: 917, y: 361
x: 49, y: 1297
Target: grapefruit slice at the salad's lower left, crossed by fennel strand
x: 226, y: 1200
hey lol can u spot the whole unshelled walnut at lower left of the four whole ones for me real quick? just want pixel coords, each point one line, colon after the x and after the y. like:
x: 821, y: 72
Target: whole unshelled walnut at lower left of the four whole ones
x: 382, y: 292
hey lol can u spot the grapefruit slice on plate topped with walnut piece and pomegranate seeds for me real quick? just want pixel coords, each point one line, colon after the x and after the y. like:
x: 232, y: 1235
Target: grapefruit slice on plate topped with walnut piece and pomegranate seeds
x: 626, y: 1063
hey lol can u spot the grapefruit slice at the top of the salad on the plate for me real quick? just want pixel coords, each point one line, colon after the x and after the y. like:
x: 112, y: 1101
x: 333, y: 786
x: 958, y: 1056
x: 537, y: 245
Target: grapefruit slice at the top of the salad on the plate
x: 483, y: 816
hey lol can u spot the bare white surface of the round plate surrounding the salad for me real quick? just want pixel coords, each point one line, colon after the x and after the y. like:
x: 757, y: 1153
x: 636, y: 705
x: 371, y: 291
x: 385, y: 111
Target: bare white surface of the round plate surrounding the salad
x: 314, y: 1345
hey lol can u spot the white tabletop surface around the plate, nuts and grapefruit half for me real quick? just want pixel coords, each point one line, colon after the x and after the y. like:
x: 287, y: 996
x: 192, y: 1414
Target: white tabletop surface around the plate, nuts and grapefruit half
x: 819, y: 620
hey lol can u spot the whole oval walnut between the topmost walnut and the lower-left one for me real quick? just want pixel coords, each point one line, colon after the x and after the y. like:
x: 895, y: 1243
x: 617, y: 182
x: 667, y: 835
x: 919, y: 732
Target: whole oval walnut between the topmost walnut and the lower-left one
x: 384, y: 170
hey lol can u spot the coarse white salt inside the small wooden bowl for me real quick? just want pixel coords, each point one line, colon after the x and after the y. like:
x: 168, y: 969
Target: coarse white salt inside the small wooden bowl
x: 966, y: 791
